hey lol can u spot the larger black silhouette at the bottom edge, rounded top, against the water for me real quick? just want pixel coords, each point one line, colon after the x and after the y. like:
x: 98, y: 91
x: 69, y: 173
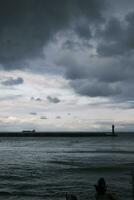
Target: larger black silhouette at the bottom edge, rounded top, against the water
x: 101, y: 191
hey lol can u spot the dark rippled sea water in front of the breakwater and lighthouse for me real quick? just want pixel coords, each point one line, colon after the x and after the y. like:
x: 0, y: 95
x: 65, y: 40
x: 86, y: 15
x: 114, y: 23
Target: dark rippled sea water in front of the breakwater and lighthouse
x: 37, y: 168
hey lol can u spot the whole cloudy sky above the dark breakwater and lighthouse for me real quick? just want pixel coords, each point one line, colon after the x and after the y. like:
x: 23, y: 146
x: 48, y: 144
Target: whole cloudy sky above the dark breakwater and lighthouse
x: 66, y: 65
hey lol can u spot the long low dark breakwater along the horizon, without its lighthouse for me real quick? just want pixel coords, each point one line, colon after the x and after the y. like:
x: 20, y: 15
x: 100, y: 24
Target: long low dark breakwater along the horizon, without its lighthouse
x: 57, y: 134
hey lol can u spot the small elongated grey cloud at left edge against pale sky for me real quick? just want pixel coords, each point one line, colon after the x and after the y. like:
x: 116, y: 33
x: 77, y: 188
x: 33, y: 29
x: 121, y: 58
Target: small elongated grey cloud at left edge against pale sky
x: 12, y: 81
